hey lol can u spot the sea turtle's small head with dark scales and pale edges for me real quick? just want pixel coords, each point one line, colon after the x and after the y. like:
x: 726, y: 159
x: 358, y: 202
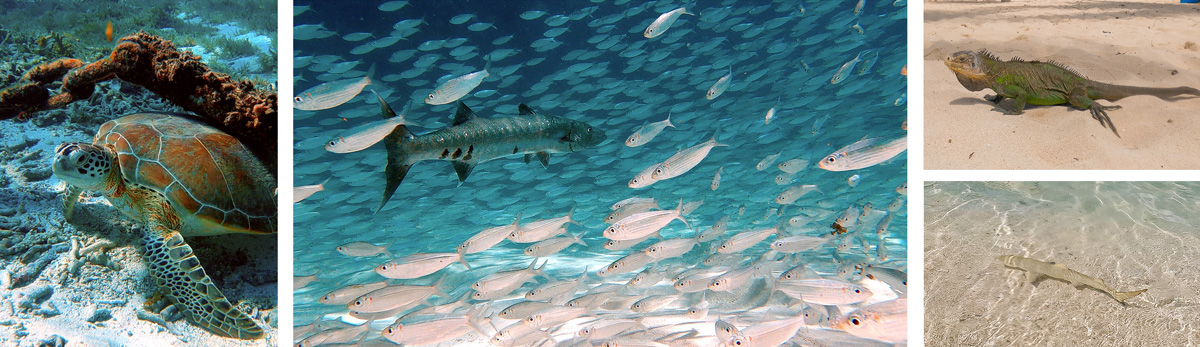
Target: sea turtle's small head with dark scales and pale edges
x: 83, y: 165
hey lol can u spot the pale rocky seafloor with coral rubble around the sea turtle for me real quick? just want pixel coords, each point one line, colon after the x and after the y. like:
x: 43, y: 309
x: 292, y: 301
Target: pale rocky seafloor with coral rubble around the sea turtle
x: 83, y: 283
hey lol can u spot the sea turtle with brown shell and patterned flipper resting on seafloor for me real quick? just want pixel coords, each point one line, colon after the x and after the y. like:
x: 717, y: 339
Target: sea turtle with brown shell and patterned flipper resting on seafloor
x: 178, y: 177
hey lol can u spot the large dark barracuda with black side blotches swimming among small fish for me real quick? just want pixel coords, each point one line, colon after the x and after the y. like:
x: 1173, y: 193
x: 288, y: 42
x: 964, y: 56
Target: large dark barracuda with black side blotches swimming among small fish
x: 471, y: 141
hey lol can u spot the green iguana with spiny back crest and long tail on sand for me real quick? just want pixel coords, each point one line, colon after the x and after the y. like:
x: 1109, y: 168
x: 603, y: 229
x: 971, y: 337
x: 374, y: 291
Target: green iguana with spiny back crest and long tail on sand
x: 1045, y: 83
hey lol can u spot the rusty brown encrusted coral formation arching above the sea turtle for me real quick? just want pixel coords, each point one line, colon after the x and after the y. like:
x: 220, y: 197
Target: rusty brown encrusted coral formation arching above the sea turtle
x: 238, y: 107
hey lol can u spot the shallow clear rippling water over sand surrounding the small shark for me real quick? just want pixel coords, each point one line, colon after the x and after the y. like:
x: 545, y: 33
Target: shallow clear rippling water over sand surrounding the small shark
x: 1132, y: 236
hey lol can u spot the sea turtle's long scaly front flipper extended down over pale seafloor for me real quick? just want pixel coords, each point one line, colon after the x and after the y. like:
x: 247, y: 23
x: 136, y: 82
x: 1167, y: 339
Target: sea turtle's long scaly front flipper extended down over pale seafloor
x: 176, y: 267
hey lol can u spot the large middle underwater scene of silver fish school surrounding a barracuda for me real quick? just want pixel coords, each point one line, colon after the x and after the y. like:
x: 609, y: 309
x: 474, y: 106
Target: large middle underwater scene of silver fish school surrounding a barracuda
x: 698, y: 222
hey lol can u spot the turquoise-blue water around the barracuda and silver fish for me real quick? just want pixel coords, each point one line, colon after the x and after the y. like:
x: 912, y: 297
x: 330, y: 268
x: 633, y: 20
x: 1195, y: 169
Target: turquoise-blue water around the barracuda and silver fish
x: 603, y: 71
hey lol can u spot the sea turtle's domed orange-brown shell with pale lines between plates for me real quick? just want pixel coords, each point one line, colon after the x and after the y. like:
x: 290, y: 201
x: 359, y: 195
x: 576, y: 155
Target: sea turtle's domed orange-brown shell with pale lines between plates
x: 214, y: 183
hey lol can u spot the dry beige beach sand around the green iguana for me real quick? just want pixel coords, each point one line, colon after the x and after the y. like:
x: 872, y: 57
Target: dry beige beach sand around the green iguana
x: 1141, y: 43
